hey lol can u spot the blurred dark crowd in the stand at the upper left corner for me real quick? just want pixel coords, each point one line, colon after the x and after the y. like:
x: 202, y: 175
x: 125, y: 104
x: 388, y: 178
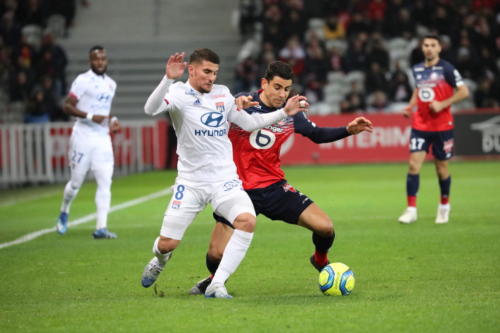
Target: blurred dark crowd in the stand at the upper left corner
x: 32, y: 64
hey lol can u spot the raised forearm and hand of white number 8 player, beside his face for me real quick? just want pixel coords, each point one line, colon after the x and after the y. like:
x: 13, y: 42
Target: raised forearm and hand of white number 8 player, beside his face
x: 174, y: 69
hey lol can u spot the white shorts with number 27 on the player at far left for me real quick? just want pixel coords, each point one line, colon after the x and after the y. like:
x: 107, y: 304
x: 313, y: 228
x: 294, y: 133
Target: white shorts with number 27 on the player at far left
x: 90, y: 153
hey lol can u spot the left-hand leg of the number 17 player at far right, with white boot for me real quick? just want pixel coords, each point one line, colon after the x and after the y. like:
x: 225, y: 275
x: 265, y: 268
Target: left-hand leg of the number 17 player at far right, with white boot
x: 412, y: 184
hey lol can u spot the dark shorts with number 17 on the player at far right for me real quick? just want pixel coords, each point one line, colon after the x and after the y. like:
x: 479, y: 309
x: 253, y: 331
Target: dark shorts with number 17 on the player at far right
x: 441, y: 142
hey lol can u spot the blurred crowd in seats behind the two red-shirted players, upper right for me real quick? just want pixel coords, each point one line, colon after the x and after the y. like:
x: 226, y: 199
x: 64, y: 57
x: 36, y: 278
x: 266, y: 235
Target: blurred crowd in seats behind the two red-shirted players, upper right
x: 355, y: 55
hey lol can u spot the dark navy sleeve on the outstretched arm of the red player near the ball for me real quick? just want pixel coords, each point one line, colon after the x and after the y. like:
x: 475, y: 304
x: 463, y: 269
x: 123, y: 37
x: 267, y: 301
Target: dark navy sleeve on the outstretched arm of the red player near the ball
x: 317, y: 134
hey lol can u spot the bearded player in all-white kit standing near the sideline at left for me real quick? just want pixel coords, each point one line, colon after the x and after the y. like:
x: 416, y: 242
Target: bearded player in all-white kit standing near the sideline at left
x: 89, y: 100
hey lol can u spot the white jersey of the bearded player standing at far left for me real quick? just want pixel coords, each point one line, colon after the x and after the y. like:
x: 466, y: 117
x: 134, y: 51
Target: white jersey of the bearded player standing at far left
x: 95, y: 94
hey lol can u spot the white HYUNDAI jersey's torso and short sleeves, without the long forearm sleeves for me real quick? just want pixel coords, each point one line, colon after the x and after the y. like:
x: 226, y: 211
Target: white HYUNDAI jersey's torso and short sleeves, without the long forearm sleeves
x: 200, y: 122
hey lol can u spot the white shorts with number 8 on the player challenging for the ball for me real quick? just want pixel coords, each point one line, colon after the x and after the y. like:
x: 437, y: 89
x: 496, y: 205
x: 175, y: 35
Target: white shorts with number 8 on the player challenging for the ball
x: 228, y: 199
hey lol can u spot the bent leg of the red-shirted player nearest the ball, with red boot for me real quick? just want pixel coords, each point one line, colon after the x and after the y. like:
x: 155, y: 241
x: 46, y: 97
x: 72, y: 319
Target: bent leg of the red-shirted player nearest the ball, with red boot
x: 316, y: 220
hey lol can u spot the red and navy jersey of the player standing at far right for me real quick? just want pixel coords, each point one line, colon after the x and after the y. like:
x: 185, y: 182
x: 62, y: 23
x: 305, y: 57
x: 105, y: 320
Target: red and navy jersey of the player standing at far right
x: 434, y: 83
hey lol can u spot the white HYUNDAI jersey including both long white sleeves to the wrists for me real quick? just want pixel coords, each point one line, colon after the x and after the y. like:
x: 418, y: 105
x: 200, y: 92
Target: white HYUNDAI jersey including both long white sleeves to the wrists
x: 201, y: 123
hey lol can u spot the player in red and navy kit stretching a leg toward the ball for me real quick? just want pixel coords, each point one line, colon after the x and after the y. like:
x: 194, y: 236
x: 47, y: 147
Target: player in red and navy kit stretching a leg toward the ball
x: 257, y: 157
